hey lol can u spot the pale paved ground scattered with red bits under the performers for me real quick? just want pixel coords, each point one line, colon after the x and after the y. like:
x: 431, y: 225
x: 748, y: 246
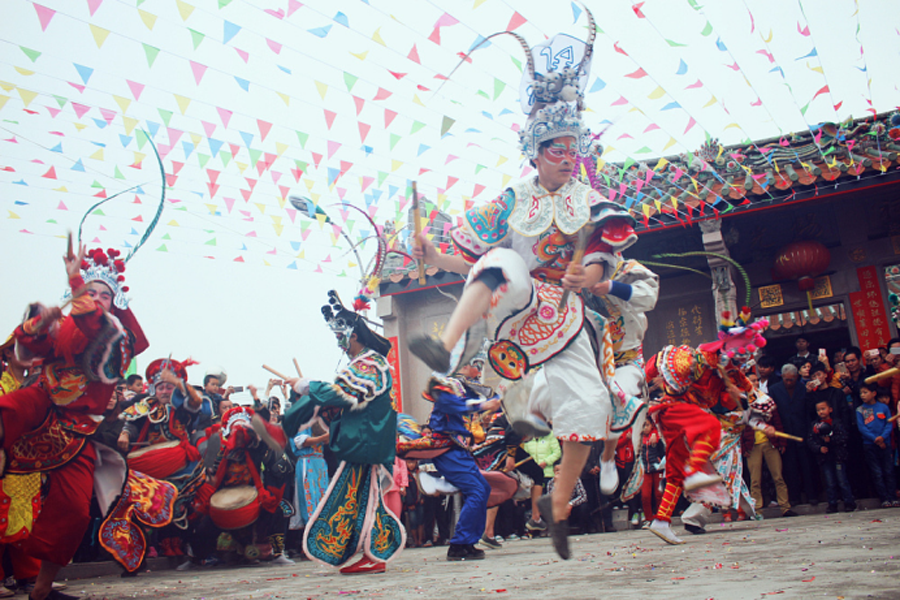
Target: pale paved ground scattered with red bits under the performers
x: 832, y: 556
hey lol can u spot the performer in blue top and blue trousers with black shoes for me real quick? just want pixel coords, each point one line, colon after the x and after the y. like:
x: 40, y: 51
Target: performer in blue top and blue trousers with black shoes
x: 453, y: 398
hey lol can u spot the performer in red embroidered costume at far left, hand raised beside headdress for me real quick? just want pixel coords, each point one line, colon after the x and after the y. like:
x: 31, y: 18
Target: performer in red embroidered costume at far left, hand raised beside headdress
x: 48, y: 460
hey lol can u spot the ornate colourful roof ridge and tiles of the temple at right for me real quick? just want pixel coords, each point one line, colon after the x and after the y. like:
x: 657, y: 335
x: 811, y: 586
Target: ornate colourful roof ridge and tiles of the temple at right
x: 716, y: 179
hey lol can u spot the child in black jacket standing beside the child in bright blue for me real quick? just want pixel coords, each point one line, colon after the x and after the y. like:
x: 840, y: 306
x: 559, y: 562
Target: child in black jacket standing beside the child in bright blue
x: 828, y: 437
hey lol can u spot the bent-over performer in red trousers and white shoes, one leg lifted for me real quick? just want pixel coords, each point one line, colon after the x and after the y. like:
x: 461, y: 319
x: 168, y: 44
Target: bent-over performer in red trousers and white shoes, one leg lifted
x: 693, y: 383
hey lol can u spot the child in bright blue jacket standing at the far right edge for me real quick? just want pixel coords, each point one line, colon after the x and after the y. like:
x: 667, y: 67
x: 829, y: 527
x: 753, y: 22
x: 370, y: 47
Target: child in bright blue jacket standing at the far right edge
x: 872, y: 419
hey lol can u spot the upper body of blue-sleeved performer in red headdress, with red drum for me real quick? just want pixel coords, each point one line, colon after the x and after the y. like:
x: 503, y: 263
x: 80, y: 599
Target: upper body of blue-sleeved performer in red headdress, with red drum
x: 156, y: 432
